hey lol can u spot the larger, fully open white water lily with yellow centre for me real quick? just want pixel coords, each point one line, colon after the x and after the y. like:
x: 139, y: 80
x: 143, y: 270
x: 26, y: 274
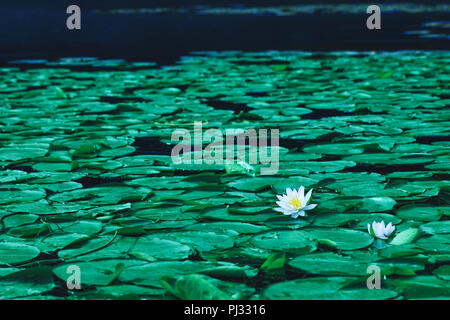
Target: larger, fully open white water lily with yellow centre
x: 294, y: 203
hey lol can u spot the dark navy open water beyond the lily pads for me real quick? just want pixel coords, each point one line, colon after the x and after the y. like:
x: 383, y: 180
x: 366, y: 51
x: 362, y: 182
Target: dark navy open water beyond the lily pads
x: 36, y: 29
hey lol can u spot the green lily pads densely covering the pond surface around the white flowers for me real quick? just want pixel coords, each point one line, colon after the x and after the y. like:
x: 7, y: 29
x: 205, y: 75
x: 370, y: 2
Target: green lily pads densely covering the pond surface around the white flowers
x: 87, y: 179
